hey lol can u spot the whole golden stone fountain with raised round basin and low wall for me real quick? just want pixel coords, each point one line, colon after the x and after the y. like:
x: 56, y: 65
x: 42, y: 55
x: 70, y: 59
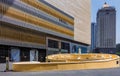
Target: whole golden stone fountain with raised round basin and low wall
x: 71, y: 62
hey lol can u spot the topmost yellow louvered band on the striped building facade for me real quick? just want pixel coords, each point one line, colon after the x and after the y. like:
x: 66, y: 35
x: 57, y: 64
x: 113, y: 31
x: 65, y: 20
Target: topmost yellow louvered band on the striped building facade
x: 49, y: 10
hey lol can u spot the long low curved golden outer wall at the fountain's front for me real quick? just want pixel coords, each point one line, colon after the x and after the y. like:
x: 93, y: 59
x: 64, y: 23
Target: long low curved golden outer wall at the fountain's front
x: 64, y: 66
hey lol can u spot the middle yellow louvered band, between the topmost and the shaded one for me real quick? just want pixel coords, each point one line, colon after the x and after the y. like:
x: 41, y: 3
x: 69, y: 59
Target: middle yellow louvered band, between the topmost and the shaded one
x: 14, y: 13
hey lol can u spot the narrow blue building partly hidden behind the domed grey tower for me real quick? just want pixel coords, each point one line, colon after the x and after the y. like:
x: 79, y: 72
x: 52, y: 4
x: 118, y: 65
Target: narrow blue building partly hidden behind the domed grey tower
x: 93, y: 36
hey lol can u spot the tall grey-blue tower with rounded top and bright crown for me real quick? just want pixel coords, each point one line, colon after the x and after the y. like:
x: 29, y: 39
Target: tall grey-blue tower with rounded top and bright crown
x: 106, y: 29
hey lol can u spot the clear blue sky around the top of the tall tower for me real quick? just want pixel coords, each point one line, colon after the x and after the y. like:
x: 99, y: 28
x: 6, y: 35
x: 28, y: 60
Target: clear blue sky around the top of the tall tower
x: 97, y: 4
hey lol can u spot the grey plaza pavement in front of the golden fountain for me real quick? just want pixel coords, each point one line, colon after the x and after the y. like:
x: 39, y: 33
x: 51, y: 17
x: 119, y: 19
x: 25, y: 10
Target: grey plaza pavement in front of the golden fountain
x: 98, y: 72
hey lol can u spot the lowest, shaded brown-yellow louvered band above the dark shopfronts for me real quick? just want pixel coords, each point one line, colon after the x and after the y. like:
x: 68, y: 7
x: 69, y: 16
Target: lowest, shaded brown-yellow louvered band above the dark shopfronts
x: 18, y: 35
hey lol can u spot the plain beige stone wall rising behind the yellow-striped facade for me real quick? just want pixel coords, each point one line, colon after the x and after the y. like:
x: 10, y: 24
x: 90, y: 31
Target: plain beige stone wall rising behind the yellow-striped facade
x: 80, y: 10
